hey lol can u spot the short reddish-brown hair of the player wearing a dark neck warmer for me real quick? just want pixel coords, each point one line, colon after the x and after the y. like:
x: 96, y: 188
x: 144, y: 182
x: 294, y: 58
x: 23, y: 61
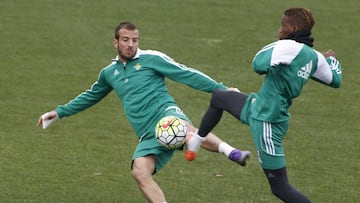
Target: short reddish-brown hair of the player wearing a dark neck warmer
x: 301, y: 17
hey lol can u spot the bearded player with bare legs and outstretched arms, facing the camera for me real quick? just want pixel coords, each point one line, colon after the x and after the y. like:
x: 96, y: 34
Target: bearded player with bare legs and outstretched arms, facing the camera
x: 138, y: 78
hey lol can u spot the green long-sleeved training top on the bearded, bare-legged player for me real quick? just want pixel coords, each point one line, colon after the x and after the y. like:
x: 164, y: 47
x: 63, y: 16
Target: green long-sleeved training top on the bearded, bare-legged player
x: 140, y: 85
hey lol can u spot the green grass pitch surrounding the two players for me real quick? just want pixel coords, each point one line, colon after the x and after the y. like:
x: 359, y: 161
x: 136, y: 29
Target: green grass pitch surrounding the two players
x: 52, y: 50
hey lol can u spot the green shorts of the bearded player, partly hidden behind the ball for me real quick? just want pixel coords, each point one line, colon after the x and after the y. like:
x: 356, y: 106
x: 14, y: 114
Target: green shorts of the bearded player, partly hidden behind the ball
x: 148, y: 145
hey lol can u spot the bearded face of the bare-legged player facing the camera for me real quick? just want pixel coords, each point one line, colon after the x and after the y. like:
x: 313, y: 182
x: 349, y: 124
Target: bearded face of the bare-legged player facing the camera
x: 127, y: 44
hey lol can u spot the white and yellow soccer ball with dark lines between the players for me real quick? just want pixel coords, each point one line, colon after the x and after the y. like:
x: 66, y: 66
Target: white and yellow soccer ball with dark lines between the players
x: 170, y: 132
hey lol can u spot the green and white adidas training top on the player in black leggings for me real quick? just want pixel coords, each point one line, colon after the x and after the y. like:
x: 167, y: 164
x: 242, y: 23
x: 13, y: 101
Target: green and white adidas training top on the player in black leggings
x: 288, y: 65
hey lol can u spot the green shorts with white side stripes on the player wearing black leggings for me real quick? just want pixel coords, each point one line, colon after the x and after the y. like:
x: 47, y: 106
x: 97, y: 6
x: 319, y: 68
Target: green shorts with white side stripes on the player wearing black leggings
x: 268, y: 139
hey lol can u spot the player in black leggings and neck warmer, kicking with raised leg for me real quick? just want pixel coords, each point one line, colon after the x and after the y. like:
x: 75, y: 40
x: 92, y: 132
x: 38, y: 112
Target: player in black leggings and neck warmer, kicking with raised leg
x: 287, y: 65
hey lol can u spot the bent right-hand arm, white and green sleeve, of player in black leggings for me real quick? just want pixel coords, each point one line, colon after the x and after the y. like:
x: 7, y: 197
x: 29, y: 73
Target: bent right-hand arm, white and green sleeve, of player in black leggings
x: 329, y: 71
